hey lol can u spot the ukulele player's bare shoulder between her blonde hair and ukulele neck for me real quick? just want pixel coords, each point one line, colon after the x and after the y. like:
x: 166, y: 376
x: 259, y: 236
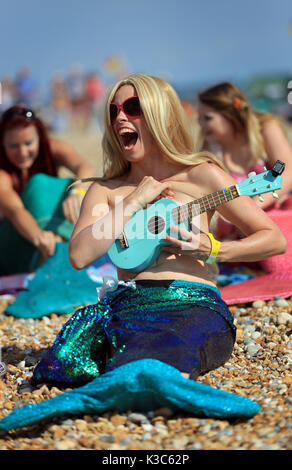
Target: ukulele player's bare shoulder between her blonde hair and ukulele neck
x: 210, y: 177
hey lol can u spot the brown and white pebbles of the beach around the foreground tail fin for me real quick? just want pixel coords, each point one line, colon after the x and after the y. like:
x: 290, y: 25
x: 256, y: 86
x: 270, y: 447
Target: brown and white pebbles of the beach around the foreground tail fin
x: 260, y: 369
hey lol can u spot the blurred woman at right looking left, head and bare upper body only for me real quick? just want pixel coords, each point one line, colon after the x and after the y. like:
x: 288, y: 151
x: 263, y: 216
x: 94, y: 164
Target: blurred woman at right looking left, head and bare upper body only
x: 246, y: 140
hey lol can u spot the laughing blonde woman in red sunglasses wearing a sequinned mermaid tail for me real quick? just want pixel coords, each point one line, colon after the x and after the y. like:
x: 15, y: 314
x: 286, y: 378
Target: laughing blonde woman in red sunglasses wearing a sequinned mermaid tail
x: 170, y: 311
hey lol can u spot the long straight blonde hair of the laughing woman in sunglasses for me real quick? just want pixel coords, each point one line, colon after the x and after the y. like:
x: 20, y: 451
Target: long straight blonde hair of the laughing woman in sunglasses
x: 166, y: 120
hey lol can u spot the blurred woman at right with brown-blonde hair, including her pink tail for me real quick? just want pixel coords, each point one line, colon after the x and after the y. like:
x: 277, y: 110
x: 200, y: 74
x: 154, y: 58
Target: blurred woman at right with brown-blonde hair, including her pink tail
x: 248, y: 141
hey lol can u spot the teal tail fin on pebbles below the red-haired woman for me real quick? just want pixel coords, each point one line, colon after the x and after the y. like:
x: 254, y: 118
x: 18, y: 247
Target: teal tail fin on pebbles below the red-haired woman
x: 56, y: 288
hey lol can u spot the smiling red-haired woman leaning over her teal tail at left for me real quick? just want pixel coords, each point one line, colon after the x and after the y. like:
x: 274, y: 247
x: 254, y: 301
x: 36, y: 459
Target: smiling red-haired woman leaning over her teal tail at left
x: 36, y: 208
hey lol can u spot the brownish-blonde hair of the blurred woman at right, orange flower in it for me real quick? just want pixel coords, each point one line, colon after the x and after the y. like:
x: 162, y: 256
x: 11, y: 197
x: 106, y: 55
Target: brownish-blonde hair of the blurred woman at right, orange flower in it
x: 227, y: 99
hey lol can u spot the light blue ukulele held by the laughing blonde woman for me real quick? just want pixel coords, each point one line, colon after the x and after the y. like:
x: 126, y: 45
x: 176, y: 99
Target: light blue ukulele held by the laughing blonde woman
x: 139, y: 245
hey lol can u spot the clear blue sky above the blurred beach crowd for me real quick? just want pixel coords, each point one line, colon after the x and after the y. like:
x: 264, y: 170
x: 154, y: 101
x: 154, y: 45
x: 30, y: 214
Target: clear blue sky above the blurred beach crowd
x: 184, y: 41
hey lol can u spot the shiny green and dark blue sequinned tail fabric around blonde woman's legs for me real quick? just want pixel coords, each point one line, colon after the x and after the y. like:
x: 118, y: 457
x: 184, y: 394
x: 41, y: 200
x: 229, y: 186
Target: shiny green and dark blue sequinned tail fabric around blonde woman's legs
x: 184, y: 324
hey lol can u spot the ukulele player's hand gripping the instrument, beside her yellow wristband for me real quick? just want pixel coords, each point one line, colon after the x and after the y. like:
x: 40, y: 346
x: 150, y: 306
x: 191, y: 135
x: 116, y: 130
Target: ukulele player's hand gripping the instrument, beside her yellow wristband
x: 196, y: 245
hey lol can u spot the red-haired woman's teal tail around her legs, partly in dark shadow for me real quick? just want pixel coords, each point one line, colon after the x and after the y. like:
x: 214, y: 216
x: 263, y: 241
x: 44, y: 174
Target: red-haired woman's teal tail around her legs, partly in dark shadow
x: 42, y: 197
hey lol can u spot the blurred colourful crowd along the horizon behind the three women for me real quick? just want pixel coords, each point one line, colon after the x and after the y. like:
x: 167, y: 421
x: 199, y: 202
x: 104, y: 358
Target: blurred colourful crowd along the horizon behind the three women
x: 74, y: 101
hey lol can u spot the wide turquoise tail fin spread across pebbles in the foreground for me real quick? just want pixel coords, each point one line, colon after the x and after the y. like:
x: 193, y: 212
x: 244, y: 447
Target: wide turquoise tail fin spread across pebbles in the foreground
x: 142, y: 385
